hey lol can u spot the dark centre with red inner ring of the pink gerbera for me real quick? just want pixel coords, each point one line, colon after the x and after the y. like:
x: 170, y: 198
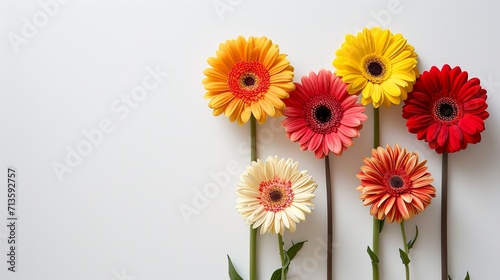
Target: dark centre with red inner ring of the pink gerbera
x: 323, y: 113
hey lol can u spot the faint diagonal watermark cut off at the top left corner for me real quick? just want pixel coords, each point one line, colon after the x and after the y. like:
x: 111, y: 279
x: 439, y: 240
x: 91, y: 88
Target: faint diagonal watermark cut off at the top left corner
x: 31, y: 26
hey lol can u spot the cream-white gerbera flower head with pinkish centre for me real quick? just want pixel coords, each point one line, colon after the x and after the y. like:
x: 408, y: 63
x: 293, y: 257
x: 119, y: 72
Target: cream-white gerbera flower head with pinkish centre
x: 275, y: 195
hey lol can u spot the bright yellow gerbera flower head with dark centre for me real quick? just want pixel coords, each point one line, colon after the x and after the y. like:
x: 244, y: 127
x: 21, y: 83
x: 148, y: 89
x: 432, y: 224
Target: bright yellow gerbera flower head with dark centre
x: 380, y: 65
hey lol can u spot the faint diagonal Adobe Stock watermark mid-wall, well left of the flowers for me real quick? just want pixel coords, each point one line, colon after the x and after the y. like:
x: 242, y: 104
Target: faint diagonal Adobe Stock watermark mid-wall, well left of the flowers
x: 122, y: 107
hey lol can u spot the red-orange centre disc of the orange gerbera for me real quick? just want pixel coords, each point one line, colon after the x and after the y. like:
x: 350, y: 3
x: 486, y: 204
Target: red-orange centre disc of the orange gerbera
x: 249, y: 81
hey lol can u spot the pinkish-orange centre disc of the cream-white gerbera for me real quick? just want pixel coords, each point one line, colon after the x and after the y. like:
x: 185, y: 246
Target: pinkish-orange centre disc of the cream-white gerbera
x: 276, y: 194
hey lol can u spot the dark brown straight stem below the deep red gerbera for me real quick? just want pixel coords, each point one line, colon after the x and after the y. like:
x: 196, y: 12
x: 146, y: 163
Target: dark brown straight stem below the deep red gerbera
x: 444, y: 217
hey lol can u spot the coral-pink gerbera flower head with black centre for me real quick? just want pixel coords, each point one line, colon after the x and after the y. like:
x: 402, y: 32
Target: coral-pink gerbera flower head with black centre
x: 321, y: 116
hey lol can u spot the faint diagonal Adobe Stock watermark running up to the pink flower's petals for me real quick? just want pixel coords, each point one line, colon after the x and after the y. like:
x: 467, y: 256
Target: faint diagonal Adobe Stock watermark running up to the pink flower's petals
x: 220, y: 179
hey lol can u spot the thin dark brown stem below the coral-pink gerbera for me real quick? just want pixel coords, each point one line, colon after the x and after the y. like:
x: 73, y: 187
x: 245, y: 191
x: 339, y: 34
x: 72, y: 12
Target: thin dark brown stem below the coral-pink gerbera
x: 329, y: 198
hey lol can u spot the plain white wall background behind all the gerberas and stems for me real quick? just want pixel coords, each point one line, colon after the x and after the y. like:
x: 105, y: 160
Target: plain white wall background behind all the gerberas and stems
x: 117, y: 214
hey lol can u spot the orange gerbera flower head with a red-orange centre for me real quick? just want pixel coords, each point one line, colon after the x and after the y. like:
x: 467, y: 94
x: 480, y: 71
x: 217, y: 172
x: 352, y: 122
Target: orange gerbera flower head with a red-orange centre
x: 248, y: 77
